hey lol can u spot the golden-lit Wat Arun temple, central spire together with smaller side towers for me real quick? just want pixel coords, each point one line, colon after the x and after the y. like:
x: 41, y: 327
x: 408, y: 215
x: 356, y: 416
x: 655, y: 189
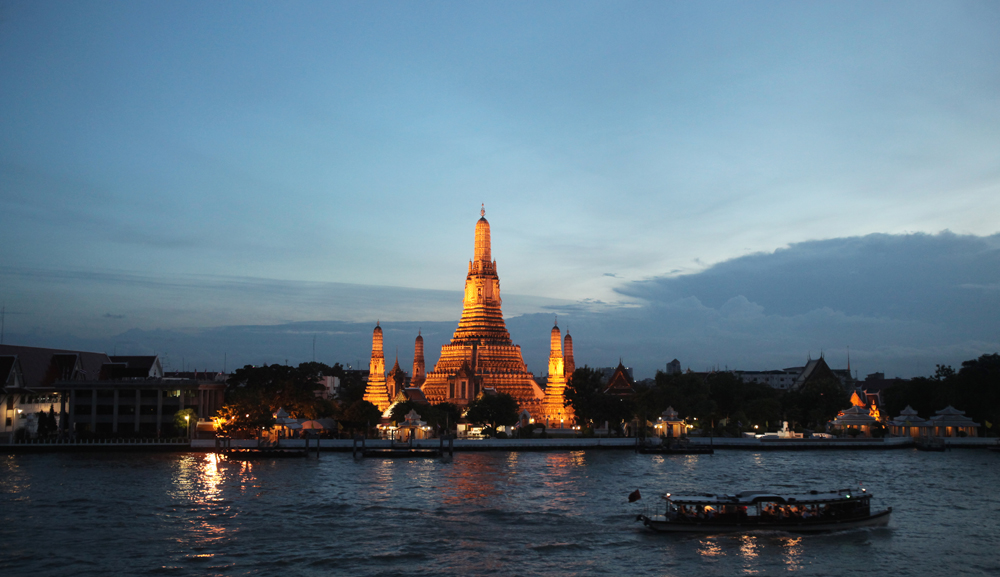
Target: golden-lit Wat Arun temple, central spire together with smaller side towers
x: 481, y: 356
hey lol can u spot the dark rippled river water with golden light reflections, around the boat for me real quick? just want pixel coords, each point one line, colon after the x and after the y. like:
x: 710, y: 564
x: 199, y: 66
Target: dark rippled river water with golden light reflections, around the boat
x: 495, y: 513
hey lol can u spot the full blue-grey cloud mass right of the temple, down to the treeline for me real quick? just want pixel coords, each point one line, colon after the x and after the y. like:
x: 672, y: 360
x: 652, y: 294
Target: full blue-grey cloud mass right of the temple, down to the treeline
x: 902, y: 303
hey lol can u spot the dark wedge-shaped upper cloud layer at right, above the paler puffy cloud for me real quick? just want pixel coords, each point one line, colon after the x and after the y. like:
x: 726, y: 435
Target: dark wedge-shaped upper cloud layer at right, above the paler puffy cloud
x: 918, y: 277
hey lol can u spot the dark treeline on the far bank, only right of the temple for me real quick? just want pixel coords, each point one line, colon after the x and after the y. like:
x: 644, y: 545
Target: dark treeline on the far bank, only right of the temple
x: 722, y: 402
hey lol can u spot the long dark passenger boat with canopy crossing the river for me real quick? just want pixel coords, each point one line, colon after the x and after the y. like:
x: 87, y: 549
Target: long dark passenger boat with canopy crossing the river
x: 814, y: 511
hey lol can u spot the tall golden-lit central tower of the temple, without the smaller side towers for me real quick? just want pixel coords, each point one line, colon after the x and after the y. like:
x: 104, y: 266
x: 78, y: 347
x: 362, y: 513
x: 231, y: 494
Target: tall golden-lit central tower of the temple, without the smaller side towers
x: 481, y: 354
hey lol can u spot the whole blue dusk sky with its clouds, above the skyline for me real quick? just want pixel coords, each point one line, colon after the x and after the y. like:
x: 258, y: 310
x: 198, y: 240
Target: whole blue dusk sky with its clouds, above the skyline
x: 738, y: 184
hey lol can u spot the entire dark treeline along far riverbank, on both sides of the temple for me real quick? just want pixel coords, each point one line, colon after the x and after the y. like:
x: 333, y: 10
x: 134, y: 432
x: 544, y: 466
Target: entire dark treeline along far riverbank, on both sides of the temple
x: 719, y: 402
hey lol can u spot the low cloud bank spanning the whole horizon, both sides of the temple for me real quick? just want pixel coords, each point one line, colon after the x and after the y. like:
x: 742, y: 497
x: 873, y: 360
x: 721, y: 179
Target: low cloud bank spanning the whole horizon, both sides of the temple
x: 902, y: 303
